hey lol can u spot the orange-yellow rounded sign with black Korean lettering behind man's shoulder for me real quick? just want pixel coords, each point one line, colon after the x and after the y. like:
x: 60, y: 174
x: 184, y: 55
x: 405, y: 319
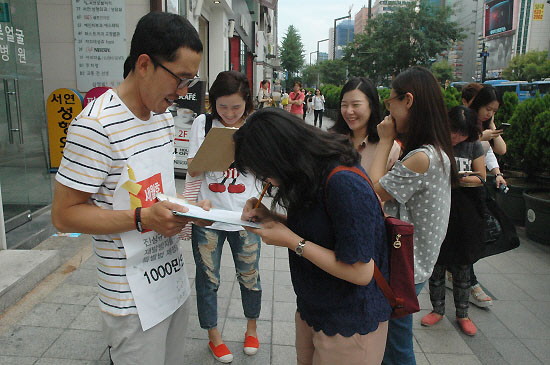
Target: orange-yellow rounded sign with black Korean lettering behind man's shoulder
x: 61, y: 108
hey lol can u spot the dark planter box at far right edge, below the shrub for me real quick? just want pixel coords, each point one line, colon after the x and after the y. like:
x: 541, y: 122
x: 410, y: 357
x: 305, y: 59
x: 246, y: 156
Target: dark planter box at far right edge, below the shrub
x: 537, y: 215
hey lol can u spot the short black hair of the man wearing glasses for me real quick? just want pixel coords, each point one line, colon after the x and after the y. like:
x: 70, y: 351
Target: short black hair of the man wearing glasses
x: 160, y: 35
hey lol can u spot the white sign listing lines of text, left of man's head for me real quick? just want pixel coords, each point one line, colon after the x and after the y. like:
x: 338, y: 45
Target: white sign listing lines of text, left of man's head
x: 100, y: 42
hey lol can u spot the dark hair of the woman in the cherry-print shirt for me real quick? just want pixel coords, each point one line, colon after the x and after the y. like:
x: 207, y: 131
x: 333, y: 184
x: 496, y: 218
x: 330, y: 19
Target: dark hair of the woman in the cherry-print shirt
x: 229, y: 83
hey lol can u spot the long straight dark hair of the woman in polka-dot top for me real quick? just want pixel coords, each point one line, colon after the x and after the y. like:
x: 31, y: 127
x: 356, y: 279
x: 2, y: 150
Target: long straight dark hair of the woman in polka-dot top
x: 428, y: 119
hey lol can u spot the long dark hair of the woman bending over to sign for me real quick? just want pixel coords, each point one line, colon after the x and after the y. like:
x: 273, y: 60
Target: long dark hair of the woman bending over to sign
x: 276, y: 144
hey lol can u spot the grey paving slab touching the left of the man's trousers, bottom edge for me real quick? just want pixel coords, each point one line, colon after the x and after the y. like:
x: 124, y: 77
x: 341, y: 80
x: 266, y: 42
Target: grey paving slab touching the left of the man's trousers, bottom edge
x: 78, y: 345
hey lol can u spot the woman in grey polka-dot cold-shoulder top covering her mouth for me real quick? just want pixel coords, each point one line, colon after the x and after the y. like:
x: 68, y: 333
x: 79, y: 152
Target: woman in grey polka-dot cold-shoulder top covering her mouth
x: 418, y: 187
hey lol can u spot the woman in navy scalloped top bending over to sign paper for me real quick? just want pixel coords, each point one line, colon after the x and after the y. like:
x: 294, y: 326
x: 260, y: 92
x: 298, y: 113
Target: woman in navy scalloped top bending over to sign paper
x: 342, y: 315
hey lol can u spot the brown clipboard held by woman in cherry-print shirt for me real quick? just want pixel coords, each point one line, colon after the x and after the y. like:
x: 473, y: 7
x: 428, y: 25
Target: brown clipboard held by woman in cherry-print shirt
x: 216, y: 152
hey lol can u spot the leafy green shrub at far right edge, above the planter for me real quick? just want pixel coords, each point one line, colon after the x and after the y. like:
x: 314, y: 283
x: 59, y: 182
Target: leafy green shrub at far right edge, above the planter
x: 518, y: 135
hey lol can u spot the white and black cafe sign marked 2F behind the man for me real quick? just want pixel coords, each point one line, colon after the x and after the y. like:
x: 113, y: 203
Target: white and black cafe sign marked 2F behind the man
x: 188, y: 107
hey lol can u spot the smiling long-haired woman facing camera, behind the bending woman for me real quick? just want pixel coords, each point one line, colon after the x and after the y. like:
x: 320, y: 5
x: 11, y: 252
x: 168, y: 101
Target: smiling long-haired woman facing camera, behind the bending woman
x: 358, y: 118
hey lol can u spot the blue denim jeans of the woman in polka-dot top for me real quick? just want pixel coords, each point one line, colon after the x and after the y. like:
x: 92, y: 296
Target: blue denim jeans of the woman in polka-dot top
x: 399, y: 345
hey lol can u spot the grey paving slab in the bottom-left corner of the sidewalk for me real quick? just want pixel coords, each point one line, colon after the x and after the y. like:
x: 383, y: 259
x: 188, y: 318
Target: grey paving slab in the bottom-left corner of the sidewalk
x: 28, y: 341
